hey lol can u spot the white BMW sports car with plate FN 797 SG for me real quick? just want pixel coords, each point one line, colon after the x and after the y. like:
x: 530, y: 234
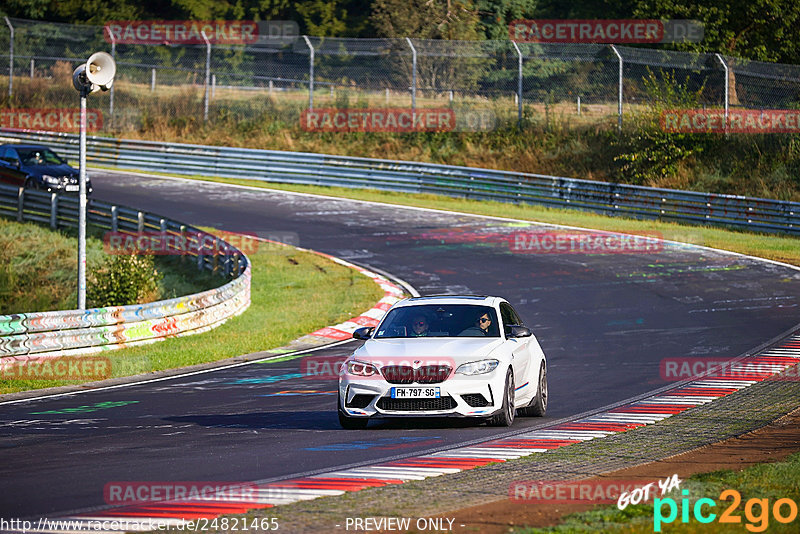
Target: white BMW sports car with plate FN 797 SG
x: 444, y: 356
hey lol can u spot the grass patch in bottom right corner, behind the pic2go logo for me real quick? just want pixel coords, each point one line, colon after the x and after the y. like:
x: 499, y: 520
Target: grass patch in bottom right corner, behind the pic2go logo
x: 767, y: 481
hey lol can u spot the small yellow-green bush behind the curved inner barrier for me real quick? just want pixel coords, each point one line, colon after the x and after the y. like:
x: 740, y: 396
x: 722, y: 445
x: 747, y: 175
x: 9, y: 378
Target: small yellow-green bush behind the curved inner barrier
x: 123, y: 280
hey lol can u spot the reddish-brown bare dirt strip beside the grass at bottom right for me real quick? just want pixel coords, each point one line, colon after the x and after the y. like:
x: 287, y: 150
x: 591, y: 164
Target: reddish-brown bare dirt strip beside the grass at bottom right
x: 771, y: 443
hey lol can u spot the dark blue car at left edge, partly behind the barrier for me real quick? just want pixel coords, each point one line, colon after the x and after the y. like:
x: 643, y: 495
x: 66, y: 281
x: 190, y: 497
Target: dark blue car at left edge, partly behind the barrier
x: 38, y: 167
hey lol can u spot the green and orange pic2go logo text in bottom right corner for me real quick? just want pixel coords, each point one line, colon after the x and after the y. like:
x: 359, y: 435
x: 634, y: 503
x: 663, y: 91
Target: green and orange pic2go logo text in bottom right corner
x: 756, y: 511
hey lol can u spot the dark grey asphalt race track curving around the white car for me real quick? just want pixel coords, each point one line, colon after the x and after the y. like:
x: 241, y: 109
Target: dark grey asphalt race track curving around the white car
x: 604, y: 321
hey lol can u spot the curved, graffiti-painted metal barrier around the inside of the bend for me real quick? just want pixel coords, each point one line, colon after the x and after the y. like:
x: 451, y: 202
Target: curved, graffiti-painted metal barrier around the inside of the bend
x: 61, y: 333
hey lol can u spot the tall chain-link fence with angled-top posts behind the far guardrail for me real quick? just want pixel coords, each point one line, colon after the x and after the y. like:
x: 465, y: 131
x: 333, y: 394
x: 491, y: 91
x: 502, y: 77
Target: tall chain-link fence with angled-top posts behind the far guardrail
x: 584, y: 83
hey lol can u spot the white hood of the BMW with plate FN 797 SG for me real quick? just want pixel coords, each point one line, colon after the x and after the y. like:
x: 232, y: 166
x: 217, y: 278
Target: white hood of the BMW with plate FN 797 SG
x: 426, y: 350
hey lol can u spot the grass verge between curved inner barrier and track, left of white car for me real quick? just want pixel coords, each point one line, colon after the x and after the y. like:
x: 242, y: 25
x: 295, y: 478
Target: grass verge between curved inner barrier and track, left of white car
x: 293, y: 293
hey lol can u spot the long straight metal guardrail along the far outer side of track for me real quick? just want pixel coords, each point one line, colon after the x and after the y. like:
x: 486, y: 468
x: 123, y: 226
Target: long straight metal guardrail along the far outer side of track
x: 754, y: 214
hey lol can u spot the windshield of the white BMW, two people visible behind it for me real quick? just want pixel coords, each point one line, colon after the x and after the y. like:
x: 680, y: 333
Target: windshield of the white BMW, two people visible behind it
x: 440, y: 320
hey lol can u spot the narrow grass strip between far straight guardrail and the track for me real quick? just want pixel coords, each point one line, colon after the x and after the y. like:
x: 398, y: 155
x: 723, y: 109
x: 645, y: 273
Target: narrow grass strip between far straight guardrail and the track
x: 773, y: 247
